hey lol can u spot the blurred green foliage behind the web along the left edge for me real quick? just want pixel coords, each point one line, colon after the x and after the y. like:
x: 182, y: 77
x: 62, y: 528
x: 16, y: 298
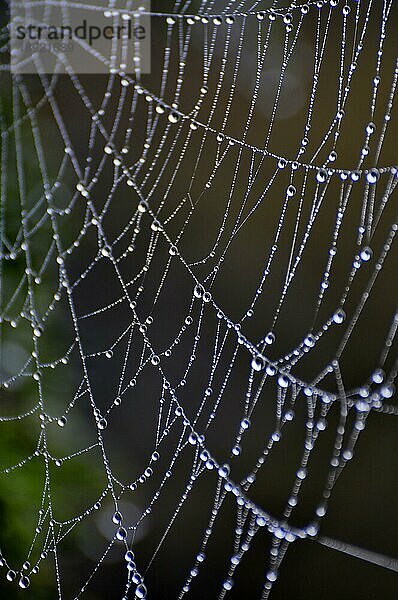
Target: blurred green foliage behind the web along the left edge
x: 21, y: 489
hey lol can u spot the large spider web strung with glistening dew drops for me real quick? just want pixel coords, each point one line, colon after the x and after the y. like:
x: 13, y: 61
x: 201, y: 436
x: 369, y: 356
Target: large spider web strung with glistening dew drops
x: 196, y: 263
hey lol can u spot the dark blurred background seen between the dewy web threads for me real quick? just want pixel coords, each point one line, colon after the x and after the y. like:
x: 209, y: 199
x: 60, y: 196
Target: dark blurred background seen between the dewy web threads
x: 362, y: 510
